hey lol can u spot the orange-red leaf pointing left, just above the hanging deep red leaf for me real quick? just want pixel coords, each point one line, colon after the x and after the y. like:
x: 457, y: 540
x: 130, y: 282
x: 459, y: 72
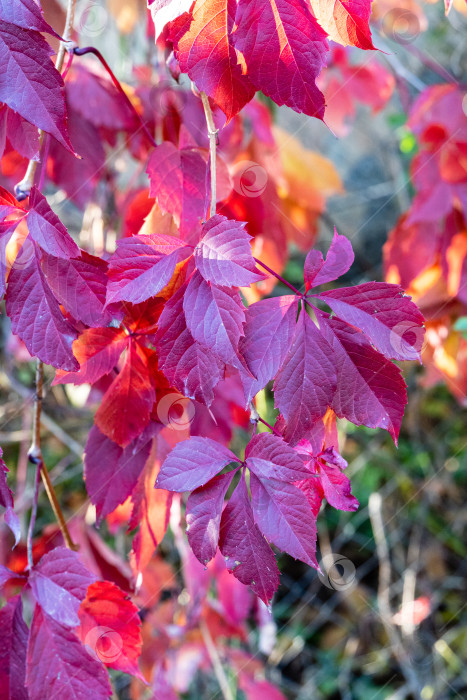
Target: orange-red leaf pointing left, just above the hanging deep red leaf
x: 97, y: 351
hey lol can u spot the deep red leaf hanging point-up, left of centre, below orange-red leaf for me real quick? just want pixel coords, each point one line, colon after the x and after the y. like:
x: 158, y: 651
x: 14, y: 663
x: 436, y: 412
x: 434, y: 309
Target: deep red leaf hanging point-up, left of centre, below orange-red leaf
x: 126, y: 405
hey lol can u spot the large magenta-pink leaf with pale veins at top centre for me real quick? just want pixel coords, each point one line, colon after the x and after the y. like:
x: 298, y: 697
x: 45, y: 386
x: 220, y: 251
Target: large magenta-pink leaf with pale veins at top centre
x: 284, y: 48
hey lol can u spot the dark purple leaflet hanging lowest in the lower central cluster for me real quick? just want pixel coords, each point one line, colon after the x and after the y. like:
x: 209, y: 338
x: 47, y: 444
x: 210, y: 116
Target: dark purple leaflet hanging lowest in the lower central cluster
x: 248, y: 556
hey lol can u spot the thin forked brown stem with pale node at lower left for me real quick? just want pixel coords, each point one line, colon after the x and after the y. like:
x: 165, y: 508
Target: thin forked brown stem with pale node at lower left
x: 35, y: 456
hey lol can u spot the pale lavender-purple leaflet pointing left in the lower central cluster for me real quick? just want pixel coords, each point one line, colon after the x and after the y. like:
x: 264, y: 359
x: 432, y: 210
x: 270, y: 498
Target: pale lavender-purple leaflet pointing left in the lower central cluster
x: 192, y: 463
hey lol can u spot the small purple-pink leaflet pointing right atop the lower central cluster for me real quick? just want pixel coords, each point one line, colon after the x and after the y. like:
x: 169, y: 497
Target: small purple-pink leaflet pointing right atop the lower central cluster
x: 270, y: 457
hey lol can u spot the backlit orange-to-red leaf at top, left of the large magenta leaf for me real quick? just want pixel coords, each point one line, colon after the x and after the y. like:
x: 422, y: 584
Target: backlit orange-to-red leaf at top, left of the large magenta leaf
x: 204, y: 49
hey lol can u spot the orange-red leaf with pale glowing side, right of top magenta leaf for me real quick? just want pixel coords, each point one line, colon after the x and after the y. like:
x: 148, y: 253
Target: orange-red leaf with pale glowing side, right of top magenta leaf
x: 345, y: 21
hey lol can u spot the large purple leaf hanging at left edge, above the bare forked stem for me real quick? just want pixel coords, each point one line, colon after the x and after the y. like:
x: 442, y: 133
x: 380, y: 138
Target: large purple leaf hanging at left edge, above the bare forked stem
x: 36, y: 317
